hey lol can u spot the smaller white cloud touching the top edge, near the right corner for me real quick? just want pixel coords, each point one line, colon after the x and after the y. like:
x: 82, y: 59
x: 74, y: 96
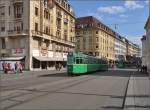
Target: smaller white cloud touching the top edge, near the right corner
x: 133, y: 5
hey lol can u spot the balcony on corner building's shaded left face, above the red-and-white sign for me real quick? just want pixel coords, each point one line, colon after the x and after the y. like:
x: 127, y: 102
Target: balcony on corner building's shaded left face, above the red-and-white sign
x: 17, y: 32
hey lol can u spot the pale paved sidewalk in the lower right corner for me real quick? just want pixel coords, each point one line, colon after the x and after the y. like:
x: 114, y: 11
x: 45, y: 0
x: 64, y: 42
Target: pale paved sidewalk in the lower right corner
x: 138, y: 93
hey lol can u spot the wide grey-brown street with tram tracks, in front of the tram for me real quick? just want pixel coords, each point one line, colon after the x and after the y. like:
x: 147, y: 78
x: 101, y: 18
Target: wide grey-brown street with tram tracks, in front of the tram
x: 56, y: 91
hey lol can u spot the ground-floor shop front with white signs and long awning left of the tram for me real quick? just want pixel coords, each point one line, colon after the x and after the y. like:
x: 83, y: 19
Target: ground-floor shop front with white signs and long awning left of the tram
x: 48, y: 60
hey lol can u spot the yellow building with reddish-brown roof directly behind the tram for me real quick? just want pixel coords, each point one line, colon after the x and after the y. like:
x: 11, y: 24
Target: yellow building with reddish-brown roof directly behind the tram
x: 93, y: 37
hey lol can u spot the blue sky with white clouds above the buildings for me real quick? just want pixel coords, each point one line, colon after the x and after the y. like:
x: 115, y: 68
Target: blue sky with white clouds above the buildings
x: 127, y: 17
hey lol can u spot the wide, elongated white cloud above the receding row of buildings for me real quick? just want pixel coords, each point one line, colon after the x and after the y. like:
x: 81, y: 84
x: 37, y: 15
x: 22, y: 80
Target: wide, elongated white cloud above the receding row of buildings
x: 111, y: 9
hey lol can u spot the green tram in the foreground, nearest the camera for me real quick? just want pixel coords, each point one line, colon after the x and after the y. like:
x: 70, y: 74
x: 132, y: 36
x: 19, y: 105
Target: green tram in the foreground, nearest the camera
x: 79, y: 63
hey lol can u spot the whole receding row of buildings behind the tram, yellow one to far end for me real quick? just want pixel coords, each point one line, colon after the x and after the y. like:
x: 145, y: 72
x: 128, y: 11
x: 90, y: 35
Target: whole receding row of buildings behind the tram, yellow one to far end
x: 94, y: 37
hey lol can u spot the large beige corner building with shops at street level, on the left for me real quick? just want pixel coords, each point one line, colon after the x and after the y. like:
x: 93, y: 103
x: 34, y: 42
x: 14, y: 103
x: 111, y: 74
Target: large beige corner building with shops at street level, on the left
x: 37, y: 33
